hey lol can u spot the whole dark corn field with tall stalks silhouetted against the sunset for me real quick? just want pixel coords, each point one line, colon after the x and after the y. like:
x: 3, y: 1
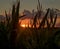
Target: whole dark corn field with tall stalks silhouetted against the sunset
x: 12, y: 36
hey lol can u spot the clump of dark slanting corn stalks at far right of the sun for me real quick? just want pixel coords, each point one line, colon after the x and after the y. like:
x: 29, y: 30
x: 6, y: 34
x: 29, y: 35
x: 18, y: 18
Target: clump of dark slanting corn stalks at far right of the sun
x: 45, y: 19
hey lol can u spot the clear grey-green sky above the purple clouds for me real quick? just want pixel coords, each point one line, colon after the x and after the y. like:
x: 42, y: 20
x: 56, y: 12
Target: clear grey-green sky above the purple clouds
x: 28, y: 4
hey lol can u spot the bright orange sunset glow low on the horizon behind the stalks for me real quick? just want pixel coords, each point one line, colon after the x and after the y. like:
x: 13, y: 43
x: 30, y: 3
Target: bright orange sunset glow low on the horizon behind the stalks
x: 26, y: 23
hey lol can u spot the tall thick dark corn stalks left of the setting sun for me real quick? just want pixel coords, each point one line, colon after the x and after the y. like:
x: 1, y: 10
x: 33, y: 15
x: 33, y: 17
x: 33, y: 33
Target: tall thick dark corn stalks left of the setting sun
x: 14, y: 24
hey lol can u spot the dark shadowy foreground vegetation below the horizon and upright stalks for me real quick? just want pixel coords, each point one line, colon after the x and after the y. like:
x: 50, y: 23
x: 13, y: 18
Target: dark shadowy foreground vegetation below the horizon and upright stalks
x: 29, y: 38
